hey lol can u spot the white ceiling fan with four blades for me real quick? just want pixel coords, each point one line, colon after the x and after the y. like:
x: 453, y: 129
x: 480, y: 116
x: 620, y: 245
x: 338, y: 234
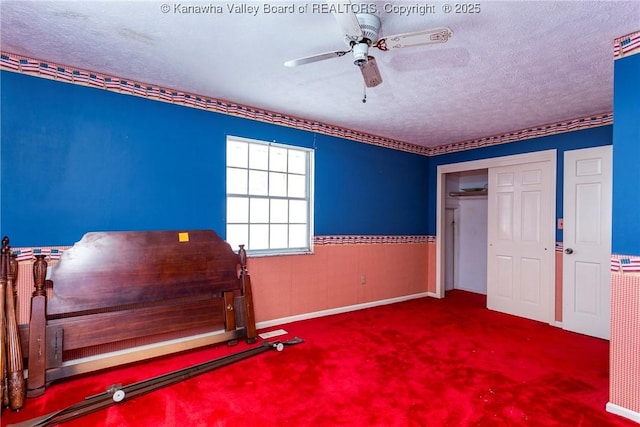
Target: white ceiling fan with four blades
x: 362, y: 32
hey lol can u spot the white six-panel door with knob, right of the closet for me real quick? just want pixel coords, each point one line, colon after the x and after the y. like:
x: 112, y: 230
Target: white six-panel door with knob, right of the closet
x: 586, y: 261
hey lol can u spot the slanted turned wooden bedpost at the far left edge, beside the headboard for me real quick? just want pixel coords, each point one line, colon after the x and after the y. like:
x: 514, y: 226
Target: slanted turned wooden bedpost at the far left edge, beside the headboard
x: 15, y: 368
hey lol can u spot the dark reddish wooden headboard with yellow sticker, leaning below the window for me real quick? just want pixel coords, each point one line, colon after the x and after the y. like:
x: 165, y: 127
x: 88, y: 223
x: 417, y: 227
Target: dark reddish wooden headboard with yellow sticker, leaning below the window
x: 121, y: 297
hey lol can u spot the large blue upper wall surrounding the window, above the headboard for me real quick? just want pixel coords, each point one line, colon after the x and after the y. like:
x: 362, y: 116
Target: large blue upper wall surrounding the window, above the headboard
x: 76, y: 159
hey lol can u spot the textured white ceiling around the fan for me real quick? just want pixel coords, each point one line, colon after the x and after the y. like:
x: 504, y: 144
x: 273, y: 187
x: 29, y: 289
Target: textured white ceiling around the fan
x: 512, y: 65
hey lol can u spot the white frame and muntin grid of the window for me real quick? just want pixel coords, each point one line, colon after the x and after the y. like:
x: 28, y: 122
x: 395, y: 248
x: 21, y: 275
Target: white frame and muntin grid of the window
x: 250, y: 198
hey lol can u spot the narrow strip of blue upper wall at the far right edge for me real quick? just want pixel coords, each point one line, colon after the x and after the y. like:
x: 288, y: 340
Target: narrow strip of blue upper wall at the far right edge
x: 626, y: 156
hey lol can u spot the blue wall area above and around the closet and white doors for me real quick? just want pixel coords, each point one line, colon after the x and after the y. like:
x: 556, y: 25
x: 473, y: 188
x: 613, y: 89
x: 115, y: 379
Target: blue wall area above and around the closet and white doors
x: 561, y: 142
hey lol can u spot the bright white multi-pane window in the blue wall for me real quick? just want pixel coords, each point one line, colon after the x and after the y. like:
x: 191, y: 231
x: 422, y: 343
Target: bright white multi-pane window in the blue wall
x: 269, y: 196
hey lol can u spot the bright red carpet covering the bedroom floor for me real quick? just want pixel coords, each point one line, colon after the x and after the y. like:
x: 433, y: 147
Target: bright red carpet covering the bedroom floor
x: 424, y: 362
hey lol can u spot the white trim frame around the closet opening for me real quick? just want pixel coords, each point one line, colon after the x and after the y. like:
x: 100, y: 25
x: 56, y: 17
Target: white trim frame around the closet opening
x: 442, y: 170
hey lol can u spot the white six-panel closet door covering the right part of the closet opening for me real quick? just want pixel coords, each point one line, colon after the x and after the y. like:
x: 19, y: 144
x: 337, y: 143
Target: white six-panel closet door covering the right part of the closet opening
x: 521, y: 240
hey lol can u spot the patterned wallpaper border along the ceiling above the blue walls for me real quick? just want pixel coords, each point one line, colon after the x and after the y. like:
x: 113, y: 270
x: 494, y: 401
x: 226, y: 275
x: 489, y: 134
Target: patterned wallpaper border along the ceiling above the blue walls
x: 45, y: 69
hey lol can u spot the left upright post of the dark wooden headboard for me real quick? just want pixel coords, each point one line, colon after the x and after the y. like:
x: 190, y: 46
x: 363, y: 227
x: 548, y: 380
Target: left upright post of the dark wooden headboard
x: 37, y: 338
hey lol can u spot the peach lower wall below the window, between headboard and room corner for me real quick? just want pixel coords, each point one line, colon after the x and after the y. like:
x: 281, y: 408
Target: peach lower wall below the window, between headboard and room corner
x: 339, y: 276
